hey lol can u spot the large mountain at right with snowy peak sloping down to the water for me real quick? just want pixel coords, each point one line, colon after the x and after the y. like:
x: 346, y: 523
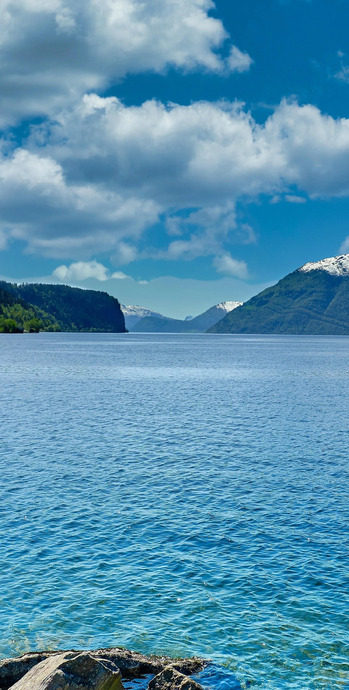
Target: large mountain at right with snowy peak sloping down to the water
x: 313, y: 300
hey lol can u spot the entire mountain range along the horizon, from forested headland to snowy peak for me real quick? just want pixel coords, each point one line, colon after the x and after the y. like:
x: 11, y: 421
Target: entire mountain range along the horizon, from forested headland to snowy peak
x: 313, y: 300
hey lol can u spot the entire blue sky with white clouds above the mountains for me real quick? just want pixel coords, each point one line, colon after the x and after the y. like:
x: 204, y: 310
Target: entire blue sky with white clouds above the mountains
x: 174, y: 153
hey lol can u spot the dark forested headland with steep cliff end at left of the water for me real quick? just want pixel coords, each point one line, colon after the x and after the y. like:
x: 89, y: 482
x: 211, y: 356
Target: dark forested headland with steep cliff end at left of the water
x: 67, y: 308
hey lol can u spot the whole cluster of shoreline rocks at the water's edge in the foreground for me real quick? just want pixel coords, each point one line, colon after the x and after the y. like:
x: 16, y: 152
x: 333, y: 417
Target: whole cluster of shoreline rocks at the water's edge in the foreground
x: 102, y: 669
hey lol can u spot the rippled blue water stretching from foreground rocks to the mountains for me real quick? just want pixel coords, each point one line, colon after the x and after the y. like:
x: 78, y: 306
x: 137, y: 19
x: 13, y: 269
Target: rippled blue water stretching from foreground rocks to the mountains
x: 179, y: 495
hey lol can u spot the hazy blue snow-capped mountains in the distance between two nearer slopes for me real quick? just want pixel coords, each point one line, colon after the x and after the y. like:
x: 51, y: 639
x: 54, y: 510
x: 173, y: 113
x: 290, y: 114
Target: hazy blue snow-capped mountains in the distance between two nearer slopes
x: 199, y: 324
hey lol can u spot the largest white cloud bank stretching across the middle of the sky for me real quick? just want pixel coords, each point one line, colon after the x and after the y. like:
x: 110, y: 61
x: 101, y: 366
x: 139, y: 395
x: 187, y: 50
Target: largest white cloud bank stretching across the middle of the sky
x: 102, y: 174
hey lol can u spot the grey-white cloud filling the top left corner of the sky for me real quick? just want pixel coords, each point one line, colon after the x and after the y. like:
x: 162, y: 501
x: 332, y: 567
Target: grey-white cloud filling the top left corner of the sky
x: 52, y: 51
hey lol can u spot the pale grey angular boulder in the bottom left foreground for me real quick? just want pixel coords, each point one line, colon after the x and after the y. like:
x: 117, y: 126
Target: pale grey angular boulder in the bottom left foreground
x: 71, y: 671
